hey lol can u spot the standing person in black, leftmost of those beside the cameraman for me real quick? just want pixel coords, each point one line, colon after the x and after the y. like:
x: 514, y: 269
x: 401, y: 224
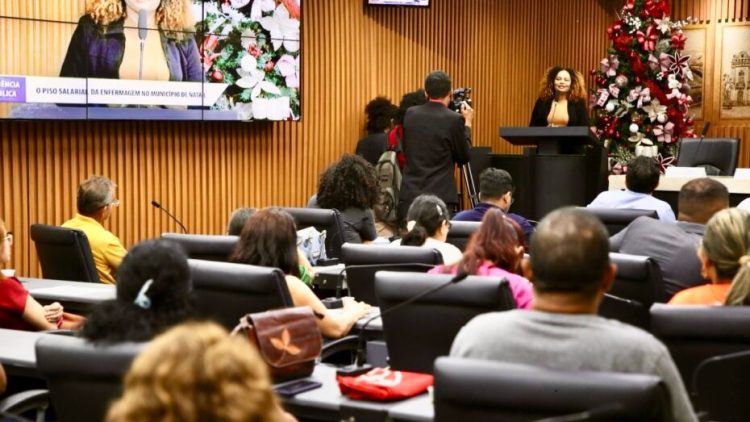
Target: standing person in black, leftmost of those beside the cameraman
x: 380, y: 114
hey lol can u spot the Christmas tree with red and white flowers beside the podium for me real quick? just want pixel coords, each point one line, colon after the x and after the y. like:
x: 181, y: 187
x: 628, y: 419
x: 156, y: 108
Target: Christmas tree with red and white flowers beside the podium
x: 640, y: 104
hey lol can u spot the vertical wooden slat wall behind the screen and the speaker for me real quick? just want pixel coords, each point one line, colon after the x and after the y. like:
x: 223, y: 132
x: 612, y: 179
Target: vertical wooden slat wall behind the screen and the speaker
x: 351, y: 53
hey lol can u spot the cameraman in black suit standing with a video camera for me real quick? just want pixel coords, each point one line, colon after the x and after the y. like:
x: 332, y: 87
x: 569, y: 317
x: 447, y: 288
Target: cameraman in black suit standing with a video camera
x: 435, y: 139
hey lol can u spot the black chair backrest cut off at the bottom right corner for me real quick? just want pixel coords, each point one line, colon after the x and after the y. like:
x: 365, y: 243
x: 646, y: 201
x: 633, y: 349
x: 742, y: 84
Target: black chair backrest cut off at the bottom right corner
x: 721, y: 385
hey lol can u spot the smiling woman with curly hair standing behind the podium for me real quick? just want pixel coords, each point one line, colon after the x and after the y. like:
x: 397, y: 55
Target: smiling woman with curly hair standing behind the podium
x: 562, y: 99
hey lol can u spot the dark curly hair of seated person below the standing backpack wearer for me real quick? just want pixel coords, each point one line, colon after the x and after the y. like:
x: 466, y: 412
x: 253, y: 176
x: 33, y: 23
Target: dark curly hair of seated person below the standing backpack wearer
x: 350, y: 182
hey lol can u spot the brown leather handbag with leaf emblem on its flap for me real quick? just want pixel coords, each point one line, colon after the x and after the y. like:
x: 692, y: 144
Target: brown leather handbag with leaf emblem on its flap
x: 288, y: 339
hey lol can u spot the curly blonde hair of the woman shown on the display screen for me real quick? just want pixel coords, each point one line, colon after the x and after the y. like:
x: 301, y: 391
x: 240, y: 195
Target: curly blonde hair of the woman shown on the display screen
x: 174, y: 17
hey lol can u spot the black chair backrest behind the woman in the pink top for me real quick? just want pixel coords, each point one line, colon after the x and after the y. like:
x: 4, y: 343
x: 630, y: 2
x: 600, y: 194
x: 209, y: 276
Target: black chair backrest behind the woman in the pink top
x: 419, y: 332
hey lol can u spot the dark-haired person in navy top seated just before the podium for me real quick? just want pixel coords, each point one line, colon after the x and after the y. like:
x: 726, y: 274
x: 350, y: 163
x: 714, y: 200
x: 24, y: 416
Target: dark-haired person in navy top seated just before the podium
x: 495, y: 191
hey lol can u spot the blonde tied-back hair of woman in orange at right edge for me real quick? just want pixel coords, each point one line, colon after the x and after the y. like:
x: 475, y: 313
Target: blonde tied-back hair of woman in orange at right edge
x: 726, y: 243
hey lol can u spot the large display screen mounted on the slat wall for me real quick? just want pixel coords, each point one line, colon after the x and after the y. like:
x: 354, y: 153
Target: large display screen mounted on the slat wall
x: 150, y: 59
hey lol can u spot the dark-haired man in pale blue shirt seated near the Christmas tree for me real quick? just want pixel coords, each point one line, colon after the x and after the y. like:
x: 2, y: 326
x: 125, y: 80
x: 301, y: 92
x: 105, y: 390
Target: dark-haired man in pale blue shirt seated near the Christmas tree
x: 641, y: 181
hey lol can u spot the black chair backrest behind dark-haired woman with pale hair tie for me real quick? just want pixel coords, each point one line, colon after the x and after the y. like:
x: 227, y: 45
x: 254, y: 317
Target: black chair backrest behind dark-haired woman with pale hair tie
x: 83, y: 378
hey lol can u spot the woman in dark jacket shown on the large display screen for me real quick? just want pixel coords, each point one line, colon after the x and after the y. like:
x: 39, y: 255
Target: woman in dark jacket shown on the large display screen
x: 107, y: 42
